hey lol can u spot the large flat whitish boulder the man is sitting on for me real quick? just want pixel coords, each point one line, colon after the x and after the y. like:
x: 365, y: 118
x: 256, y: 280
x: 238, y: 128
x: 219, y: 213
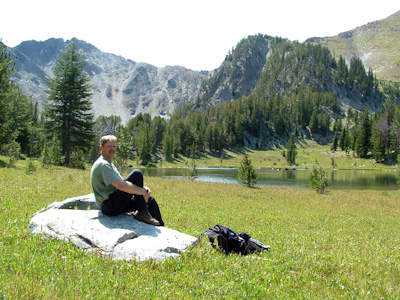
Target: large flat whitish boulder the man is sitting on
x: 79, y: 221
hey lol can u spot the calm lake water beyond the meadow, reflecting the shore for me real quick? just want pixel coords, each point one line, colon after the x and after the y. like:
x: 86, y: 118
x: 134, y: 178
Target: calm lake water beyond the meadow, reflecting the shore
x: 338, y: 179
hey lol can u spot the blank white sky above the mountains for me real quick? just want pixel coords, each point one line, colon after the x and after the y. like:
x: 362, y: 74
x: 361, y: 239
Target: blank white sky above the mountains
x: 190, y: 33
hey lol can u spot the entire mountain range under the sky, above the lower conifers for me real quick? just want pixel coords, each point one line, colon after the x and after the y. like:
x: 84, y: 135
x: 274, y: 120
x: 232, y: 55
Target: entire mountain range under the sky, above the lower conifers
x: 259, y: 64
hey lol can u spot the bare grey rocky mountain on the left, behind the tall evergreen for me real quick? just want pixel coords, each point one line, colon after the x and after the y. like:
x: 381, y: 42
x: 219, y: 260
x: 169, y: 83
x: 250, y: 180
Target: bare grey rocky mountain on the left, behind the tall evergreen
x: 120, y: 86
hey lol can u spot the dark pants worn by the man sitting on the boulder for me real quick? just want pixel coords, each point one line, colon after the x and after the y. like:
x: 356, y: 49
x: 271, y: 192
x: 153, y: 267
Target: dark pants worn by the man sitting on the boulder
x: 120, y: 202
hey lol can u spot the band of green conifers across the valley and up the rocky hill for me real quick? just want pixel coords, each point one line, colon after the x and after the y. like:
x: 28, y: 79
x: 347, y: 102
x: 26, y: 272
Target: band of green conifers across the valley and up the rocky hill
x: 288, y: 103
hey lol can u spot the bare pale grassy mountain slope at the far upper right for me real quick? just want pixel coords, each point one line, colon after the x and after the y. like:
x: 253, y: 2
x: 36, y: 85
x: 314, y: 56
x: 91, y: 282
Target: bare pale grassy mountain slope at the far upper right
x: 377, y: 44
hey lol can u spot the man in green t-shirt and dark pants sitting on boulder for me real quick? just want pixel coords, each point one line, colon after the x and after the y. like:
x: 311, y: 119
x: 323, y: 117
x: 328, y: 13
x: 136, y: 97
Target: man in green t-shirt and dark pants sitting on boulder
x: 115, y: 195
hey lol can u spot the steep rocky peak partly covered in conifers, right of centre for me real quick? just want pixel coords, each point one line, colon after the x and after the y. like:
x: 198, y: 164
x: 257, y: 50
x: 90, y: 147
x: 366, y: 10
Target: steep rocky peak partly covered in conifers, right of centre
x: 267, y: 67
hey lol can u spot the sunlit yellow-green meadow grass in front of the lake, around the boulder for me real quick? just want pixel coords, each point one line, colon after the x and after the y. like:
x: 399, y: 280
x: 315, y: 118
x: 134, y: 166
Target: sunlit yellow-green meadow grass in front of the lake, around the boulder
x: 345, y: 244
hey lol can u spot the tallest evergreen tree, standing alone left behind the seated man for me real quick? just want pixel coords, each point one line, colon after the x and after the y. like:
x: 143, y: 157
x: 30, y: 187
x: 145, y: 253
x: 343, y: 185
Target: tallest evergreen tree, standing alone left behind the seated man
x: 68, y: 114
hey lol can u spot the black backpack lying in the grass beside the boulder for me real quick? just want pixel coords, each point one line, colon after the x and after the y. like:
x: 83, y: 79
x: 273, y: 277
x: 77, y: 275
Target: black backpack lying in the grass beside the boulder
x: 230, y: 241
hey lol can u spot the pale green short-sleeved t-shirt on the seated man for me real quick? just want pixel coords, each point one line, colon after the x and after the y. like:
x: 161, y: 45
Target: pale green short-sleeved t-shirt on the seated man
x: 102, y: 175
